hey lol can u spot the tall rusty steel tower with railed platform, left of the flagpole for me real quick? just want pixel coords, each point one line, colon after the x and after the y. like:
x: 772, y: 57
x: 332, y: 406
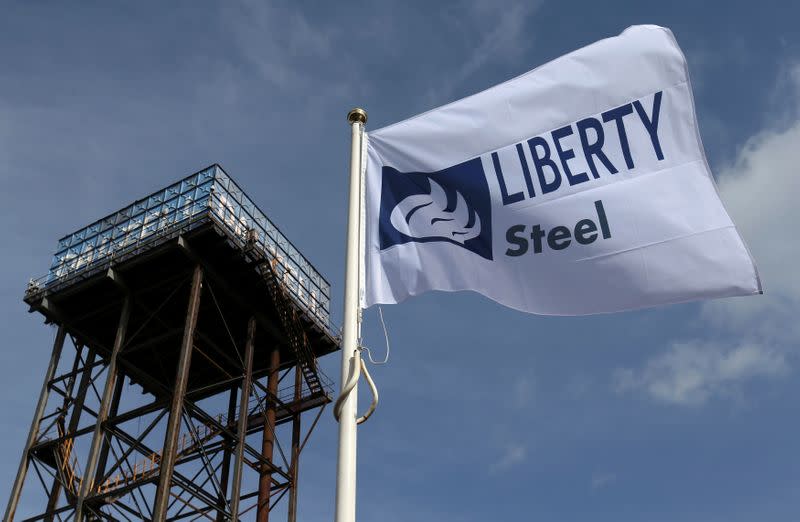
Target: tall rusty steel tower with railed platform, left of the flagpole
x: 196, y: 327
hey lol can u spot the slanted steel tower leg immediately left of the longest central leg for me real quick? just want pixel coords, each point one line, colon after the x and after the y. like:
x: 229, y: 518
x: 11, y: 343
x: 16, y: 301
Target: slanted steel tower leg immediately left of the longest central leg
x: 87, y: 482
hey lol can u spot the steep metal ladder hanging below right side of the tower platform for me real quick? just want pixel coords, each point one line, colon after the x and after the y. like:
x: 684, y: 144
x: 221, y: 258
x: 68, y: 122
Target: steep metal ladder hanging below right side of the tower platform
x: 293, y: 326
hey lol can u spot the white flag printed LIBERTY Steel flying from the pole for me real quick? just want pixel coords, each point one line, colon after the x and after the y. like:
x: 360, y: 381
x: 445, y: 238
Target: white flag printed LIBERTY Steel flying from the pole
x: 579, y: 187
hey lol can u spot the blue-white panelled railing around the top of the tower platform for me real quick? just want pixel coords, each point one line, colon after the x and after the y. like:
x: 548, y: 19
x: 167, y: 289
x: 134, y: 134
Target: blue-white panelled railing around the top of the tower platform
x: 150, y: 222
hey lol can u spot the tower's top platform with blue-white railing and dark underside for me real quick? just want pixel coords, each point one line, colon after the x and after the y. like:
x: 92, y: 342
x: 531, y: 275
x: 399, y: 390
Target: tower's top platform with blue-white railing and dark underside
x: 151, y: 248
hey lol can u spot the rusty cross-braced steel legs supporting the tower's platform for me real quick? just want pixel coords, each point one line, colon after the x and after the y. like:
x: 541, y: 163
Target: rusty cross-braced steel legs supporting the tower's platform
x: 127, y: 431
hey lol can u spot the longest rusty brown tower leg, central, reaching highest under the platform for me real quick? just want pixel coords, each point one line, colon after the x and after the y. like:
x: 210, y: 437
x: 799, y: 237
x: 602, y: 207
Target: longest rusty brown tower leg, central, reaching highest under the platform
x: 169, y: 455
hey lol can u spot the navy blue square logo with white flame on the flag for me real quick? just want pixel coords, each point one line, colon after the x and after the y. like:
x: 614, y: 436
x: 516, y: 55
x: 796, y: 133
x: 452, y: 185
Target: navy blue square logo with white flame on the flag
x: 451, y: 205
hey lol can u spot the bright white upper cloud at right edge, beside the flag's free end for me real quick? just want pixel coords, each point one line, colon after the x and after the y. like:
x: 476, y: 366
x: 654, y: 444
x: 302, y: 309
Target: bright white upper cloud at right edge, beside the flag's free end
x: 760, y: 190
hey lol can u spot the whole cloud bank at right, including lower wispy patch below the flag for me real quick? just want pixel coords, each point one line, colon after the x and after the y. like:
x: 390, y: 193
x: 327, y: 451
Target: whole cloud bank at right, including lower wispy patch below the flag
x: 756, y: 334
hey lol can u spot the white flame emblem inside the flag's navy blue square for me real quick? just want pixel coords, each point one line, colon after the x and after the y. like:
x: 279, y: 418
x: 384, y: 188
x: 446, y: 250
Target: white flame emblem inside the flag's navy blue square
x: 424, y: 216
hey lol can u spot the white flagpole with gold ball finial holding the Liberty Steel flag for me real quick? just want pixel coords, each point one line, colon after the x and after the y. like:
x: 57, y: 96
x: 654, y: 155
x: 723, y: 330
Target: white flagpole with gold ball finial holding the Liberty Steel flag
x: 346, y: 468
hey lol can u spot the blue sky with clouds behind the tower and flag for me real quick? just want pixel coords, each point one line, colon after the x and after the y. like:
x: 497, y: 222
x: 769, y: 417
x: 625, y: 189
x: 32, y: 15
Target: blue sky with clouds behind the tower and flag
x: 687, y: 412
